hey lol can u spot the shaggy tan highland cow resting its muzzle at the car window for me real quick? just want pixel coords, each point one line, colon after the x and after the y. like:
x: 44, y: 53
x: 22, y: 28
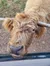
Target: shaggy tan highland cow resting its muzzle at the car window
x: 24, y: 26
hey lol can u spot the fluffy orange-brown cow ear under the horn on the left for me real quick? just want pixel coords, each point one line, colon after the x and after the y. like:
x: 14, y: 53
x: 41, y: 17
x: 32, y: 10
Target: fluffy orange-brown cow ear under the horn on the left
x: 8, y: 24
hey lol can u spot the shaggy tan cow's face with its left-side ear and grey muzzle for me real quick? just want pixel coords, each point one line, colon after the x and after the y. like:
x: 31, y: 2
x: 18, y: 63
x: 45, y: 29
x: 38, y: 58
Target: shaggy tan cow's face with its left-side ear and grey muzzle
x: 21, y: 30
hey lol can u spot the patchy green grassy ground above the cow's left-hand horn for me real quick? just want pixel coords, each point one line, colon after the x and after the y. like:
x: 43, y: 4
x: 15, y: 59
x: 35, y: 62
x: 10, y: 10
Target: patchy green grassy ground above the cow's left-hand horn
x: 8, y: 8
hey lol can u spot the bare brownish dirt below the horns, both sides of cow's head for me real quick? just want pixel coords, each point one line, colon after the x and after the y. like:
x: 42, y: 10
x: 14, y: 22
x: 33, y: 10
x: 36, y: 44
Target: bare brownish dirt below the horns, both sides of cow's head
x: 38, y: 45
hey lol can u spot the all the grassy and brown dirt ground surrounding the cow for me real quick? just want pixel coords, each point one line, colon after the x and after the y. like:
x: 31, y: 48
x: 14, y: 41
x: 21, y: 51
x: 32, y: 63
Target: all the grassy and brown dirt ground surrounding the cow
x: 8, y: 8
